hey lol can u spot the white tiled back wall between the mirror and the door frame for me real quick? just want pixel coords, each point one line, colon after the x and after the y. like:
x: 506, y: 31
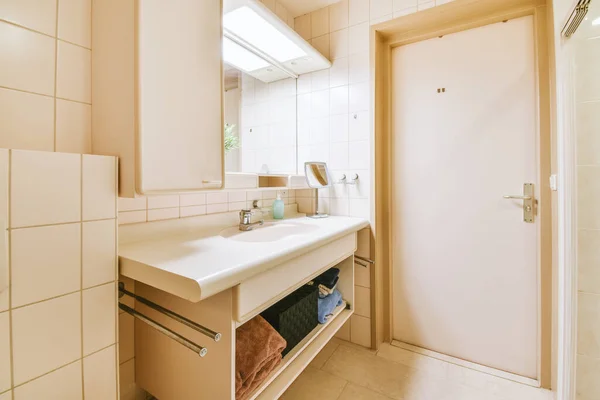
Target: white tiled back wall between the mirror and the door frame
x: 334, y: 115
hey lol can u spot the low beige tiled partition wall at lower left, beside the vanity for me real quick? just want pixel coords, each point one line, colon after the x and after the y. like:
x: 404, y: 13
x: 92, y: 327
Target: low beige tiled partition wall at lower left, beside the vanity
x: 58, y: 270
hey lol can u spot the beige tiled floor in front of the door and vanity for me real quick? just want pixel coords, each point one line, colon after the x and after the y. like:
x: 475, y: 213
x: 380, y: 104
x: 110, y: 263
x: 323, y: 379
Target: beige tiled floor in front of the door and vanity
x: 343, y: 371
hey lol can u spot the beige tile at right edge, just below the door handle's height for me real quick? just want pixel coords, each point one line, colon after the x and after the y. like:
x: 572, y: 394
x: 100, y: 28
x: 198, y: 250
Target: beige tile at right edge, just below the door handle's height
x: 588, y: 259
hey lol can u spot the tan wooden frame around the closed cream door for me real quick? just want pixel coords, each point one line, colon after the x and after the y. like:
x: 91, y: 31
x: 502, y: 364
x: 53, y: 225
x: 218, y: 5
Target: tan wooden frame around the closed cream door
x: 457, y: 16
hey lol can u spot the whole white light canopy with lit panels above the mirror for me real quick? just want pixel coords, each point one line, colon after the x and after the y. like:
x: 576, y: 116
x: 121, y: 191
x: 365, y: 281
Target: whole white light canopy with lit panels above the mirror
x: 257, y: 42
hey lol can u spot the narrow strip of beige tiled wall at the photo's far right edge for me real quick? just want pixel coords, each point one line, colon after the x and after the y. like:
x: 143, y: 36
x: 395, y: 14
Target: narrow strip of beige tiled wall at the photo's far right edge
x: 587, y: 59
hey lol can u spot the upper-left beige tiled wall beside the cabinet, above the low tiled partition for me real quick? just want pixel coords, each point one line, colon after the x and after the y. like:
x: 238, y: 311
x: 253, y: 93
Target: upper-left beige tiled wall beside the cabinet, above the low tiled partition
x: 45, y: 75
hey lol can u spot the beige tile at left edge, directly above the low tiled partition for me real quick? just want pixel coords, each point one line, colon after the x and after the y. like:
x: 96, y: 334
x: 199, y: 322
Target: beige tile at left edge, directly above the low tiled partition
x: 26, y: 121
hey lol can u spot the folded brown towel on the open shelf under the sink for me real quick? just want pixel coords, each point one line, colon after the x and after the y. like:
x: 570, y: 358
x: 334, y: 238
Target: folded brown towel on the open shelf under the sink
x: 258, y: 350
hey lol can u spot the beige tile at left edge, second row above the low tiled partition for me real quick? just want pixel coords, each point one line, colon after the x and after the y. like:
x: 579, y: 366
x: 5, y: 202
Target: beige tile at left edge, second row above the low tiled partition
x: 26, y: 60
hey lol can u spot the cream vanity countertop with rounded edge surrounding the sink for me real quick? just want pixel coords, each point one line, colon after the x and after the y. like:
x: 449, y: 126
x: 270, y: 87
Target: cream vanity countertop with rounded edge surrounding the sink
x: 196, y: 264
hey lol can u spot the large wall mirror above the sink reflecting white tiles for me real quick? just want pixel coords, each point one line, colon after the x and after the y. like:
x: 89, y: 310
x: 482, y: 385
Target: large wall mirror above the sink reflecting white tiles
x: 260, y: 124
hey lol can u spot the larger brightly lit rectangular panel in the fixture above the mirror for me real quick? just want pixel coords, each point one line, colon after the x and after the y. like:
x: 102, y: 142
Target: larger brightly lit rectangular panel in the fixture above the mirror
x: 256, y: 31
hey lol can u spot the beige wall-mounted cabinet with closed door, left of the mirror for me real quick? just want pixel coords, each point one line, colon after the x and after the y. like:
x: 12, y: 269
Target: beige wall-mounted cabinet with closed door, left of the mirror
x: 157, y: 93
